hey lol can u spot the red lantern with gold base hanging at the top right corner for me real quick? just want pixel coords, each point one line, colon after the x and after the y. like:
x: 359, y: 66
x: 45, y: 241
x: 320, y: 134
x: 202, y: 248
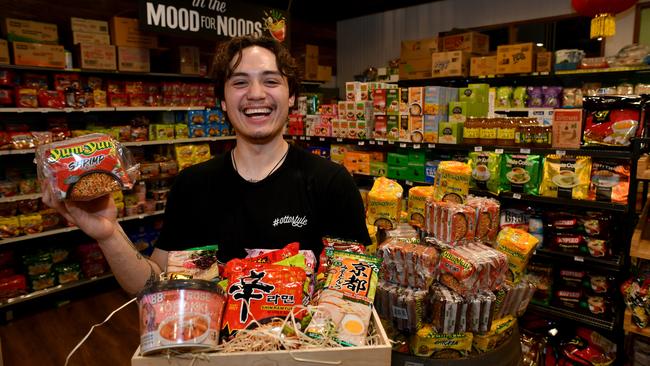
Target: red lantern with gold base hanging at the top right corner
x: 602, y: 12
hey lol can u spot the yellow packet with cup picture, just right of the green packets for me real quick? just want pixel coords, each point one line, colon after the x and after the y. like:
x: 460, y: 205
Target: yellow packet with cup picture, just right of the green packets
x: 566, y: 177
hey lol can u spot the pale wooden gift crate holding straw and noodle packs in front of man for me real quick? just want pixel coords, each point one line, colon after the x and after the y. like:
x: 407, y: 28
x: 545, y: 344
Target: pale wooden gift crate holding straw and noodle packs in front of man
x: 377, y: 355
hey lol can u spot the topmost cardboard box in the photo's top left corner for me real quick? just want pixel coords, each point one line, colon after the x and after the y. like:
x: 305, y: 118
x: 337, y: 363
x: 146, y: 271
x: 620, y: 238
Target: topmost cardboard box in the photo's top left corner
x: 19, y: 30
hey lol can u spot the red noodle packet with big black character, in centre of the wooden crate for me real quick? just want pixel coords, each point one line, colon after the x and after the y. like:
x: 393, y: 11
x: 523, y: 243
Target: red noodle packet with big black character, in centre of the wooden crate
x: 260, y: 291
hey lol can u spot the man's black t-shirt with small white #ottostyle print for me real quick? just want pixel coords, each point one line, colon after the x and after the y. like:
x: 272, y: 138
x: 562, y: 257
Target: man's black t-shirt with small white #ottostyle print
x: 308, y: 197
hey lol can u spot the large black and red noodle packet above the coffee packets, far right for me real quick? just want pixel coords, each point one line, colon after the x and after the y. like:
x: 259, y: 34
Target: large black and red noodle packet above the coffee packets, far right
x: 612, y: 120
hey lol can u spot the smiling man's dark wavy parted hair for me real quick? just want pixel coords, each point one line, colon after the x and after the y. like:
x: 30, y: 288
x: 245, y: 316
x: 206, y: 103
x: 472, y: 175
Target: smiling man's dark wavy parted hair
x: 232, y: 49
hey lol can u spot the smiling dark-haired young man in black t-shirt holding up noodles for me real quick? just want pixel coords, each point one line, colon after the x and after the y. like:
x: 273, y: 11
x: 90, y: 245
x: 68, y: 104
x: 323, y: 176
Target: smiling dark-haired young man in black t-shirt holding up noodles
x: 262, y: 194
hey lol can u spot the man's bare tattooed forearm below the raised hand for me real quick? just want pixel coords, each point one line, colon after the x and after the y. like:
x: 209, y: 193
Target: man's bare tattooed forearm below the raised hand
x: 131, y: 269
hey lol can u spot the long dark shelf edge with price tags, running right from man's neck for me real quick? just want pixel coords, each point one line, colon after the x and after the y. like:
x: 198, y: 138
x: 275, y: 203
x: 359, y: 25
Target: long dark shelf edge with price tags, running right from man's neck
x: 599, y: 152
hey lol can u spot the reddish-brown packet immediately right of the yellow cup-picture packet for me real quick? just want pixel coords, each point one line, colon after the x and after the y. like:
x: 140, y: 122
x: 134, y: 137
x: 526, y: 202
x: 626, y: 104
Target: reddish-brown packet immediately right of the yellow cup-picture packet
x: 610, y: 181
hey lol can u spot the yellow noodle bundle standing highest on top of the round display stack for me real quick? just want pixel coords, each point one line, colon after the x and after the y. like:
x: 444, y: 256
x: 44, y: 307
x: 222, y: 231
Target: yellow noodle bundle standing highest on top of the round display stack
x: 452, y: 182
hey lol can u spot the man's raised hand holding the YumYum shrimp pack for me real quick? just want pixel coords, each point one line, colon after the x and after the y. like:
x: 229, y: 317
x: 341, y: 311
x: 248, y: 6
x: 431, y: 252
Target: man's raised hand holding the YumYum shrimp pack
x: 97, y: 218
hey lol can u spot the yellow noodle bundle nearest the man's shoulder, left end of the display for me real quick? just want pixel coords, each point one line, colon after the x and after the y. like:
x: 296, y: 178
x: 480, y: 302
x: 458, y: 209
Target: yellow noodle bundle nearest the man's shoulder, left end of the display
x: 384, y: 203
